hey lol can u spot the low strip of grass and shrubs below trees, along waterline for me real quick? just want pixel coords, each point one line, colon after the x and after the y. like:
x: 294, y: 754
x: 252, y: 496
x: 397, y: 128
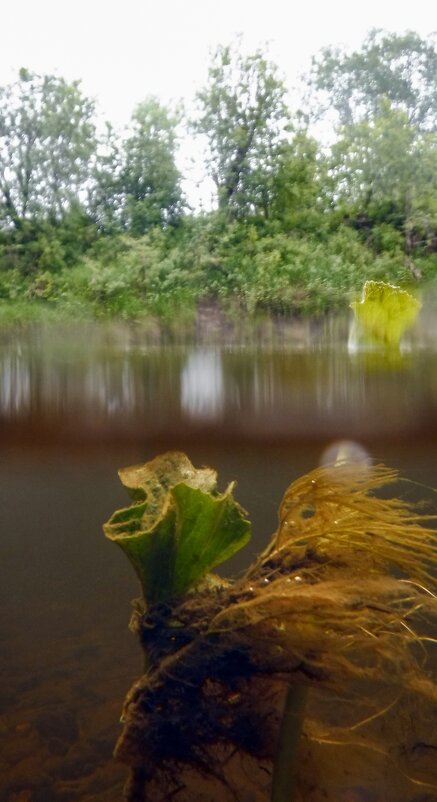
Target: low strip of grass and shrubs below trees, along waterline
x: 164, y: 276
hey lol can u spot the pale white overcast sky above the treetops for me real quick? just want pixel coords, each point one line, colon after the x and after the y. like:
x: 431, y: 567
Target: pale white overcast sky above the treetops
x: 125, y: 50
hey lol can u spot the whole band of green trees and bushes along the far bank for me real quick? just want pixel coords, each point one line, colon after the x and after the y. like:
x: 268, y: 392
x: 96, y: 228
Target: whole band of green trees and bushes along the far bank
x: 95, y: 222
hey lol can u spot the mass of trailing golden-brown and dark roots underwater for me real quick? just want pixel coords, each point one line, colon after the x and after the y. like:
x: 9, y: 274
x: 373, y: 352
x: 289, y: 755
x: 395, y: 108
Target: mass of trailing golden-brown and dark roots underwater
x: 343, y: 596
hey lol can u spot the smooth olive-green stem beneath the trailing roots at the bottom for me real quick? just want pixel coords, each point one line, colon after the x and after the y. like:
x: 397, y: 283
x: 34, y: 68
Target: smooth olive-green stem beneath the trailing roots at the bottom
x: 284, y: 769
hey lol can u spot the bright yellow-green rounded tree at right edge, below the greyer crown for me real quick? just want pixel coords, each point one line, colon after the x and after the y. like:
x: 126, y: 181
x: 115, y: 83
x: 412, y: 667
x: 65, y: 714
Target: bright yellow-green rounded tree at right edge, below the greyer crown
x: 384, y: 171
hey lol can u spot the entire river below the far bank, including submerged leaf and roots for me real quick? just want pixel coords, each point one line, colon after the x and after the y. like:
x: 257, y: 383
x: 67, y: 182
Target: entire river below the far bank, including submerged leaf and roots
x: 218, y: 565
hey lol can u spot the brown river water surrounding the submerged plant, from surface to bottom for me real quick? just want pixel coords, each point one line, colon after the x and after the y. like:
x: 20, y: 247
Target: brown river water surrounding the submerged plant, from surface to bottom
x: 77, y: 403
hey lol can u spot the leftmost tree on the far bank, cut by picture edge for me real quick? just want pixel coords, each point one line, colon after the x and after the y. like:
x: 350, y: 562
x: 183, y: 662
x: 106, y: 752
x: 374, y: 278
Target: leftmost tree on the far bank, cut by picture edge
x: 47, y: 137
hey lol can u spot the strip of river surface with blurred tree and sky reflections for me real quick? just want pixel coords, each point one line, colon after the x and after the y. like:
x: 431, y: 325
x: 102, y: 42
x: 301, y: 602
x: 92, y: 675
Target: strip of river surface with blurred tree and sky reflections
x: 88, y: 382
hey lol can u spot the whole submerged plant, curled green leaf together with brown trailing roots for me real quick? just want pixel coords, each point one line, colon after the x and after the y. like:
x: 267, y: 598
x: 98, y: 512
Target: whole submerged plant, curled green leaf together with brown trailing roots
x: 337, y: 606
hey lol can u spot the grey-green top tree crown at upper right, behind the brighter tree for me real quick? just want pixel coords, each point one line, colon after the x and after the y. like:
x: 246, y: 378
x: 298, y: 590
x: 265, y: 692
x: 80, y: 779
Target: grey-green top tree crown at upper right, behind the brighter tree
x: 400, y: 68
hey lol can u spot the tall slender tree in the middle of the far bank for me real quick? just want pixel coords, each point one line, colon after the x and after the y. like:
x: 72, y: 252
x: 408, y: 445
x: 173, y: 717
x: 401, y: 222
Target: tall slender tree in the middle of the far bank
x: 243, y: 116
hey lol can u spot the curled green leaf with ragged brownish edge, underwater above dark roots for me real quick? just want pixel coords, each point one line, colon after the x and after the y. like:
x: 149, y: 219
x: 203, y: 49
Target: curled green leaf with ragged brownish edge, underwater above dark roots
x: 180, y: 526
